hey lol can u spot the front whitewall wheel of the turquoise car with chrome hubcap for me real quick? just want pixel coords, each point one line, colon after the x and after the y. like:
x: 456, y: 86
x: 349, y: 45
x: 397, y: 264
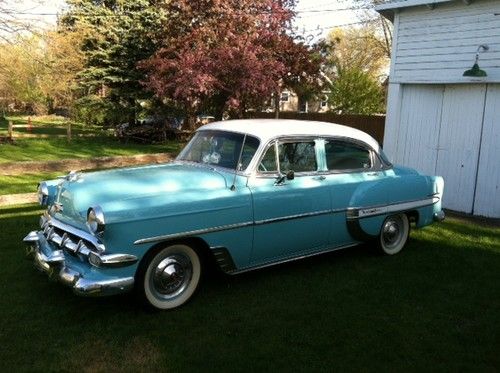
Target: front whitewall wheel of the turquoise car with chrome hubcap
x: 171, y: 277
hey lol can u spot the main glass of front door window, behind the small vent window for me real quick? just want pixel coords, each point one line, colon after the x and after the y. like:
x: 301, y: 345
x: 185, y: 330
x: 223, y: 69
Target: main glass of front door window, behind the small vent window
x: 297, y: 156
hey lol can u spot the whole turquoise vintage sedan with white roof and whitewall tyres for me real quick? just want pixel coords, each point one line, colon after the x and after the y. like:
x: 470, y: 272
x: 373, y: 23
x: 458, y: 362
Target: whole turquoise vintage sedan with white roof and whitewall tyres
x: 242, y: 194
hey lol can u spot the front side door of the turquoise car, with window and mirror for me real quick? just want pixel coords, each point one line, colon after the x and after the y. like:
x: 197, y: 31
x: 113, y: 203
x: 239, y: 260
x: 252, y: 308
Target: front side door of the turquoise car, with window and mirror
x: 291, y: 214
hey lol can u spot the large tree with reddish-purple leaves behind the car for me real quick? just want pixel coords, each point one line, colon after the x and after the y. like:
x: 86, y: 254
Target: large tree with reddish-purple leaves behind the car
x: 232, y: 53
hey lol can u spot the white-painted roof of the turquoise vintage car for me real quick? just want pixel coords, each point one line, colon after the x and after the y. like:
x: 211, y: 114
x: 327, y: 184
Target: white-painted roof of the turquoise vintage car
x: 268, y: 129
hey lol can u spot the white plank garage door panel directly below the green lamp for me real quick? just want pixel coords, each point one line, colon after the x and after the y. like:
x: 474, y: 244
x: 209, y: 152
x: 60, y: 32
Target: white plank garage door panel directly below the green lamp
x: 459, y: 143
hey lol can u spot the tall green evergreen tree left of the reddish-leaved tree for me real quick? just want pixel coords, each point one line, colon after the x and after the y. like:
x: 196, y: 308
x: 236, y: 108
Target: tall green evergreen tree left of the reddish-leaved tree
x: 116, y: 35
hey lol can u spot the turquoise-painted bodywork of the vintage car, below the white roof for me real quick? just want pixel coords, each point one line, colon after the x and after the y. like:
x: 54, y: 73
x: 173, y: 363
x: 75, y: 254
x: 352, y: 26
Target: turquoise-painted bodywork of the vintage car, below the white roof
x: 168, y: 199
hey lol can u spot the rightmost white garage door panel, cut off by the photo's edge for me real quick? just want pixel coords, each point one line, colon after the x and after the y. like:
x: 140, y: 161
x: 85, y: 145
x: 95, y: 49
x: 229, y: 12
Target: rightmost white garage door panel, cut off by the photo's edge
x: 487, y: 201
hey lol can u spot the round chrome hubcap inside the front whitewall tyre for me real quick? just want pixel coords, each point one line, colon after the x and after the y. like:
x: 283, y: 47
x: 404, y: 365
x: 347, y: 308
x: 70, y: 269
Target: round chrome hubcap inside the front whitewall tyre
x: 171, y: 276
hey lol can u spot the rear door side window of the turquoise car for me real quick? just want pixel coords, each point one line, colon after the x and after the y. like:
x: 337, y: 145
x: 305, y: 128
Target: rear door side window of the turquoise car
x: 344, y: 155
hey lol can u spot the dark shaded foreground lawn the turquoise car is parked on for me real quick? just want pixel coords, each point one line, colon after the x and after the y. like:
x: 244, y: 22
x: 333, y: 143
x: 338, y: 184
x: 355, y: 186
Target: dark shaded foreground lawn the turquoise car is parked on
x: 434, y: 307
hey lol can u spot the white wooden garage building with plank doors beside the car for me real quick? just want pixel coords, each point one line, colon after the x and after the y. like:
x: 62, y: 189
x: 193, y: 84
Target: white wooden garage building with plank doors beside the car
x: 438, y: 120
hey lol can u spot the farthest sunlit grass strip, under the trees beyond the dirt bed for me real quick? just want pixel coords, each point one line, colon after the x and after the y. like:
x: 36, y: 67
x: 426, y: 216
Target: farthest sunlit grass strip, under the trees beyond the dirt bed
x: 57, y: 148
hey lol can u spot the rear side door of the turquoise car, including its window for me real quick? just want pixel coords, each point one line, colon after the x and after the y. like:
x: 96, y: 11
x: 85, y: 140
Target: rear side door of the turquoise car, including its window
x: 349, y: 163
